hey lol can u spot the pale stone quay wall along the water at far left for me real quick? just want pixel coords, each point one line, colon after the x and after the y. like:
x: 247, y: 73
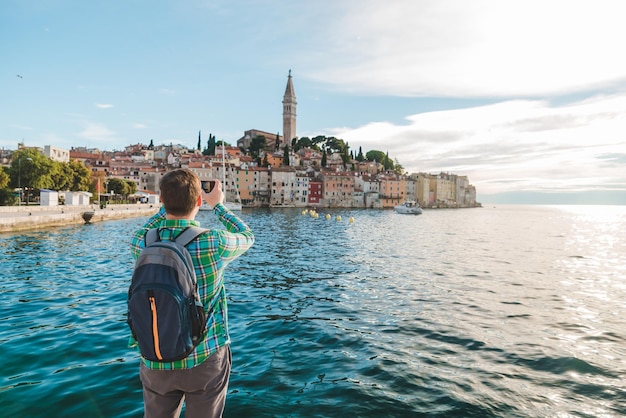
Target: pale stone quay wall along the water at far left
x: 28, y: 218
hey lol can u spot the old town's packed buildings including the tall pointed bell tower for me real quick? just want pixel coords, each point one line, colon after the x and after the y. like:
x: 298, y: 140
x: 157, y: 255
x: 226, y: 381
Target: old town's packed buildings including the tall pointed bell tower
x: 307, y: 177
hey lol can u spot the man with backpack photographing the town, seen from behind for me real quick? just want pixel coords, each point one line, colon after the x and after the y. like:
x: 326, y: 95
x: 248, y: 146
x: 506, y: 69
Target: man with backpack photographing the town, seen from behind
x: 159, y: 309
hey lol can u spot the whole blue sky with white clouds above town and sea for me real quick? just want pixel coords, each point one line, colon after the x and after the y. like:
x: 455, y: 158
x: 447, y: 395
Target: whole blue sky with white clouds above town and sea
x: 526, y: 98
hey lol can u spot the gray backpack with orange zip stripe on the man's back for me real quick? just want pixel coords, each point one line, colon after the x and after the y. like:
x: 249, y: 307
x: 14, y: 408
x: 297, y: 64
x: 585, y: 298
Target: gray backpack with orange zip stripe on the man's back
x: 165, y: 313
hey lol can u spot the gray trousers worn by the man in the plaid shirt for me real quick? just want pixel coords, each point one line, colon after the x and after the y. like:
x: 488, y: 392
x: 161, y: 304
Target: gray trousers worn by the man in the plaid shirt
x: 202, y: 388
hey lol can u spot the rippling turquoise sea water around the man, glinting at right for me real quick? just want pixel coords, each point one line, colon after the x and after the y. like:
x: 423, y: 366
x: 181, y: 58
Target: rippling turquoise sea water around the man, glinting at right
x: 508, y: 311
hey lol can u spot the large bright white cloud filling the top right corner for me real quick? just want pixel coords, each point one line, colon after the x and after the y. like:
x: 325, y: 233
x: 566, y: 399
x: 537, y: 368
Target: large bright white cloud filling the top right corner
x: 474, y: 48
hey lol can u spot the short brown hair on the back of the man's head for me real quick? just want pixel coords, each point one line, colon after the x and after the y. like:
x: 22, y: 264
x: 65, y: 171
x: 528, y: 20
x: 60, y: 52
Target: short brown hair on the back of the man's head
x: 179, y: 191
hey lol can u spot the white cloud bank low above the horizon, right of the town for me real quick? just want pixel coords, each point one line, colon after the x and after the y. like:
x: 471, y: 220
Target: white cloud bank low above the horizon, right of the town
x: 512, y: 146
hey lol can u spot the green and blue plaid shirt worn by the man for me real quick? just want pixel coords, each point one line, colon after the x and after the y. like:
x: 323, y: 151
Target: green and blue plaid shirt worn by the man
x: 211, y: 252
